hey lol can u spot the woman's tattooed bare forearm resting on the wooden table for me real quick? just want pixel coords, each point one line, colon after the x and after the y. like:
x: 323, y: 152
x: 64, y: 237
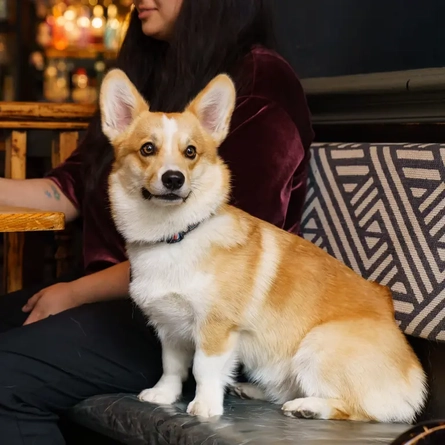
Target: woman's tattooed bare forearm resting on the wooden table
x: 41, y: 194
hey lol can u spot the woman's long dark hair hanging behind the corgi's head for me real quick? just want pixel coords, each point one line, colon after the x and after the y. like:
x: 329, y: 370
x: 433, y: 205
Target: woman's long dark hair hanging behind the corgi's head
x: 210, y: 37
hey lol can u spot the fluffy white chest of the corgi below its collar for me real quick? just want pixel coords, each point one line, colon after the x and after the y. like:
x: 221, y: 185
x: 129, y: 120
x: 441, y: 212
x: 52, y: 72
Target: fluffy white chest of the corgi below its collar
x: 168, y: 288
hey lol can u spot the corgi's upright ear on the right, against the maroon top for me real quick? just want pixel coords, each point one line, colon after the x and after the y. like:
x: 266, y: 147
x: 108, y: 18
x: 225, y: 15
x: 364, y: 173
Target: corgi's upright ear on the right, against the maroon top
x: 214, y: 106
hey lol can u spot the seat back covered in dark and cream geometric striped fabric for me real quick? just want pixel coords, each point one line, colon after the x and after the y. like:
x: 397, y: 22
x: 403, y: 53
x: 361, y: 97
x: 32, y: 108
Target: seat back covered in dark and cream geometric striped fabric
x: 380, y: 208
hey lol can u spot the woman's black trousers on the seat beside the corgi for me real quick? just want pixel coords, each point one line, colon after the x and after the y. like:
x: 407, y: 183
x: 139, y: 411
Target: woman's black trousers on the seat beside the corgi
x: 49, y: 366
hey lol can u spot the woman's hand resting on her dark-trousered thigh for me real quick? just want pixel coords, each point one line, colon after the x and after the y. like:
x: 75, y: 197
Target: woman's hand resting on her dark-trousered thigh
x: 50, y: 301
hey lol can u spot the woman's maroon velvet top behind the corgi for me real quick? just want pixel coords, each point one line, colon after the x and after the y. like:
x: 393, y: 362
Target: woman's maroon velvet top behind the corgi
x: 267, y: 151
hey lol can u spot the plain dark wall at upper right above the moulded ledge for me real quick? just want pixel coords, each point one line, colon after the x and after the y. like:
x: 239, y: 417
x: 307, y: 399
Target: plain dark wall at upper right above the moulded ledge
x: 341, y: 37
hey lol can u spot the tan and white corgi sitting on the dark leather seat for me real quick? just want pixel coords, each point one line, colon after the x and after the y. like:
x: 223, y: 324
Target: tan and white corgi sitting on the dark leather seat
x: 222, y: 287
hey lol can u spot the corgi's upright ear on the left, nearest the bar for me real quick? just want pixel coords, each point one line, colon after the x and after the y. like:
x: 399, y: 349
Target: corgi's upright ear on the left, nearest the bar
x: 120, y: 103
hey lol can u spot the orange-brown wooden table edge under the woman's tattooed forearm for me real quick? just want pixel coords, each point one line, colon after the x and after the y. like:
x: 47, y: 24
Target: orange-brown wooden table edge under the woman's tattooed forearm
x: 18, y: 219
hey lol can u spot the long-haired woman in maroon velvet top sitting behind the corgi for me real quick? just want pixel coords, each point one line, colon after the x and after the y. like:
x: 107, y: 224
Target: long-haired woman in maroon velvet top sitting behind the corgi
x: 171, y: 50
